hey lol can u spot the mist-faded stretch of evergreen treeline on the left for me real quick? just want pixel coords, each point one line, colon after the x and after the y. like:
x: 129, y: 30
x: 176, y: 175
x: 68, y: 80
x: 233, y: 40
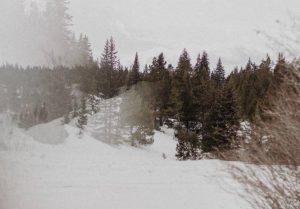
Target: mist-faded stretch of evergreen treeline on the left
x: 40, y: 94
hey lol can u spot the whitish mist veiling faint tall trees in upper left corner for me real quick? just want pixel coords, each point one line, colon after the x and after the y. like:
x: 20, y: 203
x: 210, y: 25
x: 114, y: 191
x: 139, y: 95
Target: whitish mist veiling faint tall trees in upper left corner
x: 37, y: 33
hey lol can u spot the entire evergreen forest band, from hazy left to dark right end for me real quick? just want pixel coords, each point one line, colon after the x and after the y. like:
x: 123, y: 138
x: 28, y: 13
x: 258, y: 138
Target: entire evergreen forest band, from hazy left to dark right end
x: 202, y: 103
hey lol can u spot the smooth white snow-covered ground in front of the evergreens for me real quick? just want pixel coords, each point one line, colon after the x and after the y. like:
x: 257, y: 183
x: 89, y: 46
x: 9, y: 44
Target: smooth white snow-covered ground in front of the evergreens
x: 68, y: 172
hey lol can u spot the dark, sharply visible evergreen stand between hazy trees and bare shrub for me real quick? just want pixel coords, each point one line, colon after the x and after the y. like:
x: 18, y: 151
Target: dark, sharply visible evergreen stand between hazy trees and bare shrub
x: 204, y: 105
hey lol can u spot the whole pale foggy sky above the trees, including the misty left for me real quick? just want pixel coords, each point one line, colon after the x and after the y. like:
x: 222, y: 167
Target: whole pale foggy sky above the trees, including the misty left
x: 233, y: 30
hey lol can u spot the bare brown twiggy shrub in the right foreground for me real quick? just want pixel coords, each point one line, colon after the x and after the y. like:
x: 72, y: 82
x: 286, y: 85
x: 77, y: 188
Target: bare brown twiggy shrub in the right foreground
x: 271, y: 173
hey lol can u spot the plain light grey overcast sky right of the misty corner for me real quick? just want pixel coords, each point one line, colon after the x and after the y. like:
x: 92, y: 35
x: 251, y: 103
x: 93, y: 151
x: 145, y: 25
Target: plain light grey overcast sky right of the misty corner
x: 224, y: 28
